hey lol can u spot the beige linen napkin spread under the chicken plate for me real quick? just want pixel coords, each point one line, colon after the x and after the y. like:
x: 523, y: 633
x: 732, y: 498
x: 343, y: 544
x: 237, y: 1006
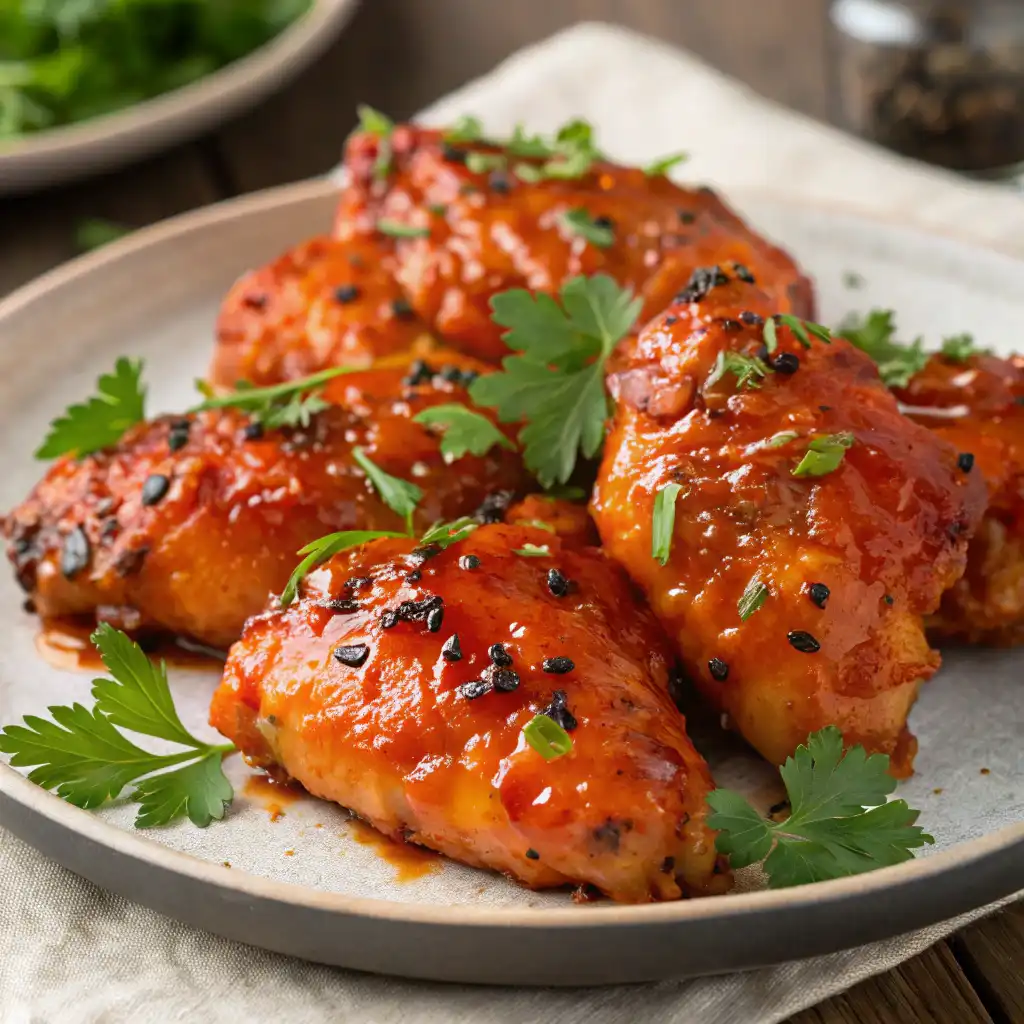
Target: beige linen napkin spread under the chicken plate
x: 71, y: 954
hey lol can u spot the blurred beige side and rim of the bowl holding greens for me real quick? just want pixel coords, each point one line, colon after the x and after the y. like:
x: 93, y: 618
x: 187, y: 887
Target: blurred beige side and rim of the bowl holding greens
x: 65, y: 154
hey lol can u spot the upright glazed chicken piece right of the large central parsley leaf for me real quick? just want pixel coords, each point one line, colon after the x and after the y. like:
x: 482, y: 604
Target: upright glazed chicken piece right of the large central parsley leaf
x: 886, y: 532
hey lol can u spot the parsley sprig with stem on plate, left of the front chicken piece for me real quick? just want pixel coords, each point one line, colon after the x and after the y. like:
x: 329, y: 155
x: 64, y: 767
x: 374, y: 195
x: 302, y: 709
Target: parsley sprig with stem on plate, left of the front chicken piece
x: 83, y: 755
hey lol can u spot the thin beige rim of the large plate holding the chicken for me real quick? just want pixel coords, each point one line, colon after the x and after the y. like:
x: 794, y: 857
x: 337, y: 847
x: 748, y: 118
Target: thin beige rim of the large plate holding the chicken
x: 16, y: 789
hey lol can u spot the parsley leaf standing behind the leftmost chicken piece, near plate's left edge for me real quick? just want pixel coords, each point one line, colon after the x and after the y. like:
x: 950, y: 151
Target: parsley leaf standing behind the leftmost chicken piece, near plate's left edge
x: 103, y: 420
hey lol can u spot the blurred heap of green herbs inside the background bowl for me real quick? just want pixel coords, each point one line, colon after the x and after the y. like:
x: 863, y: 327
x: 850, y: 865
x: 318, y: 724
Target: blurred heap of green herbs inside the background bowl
x: 68, y: 61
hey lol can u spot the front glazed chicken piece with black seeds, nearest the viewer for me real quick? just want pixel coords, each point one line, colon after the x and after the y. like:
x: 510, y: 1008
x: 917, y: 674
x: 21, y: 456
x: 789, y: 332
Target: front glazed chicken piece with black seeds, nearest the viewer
x: 372, y: 716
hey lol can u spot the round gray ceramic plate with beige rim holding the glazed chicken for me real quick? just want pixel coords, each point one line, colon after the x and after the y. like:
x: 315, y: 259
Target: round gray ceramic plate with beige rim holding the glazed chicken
x: 307, y: 882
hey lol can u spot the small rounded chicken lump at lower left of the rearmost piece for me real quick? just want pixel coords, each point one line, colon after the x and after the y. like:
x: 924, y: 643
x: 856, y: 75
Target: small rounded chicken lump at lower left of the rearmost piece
x: 324, y: 304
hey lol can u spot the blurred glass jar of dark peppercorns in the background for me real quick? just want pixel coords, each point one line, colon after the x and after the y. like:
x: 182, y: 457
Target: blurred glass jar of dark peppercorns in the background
x: 938, y: 80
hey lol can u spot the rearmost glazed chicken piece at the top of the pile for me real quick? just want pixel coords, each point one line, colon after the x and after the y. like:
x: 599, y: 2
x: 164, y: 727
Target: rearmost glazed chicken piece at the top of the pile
x: 492, y: 232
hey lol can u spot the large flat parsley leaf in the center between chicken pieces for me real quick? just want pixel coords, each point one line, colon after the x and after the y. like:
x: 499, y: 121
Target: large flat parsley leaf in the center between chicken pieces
x: 557, y: 386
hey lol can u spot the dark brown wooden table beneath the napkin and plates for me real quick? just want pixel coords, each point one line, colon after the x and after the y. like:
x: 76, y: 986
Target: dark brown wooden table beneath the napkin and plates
x: 400, y: 55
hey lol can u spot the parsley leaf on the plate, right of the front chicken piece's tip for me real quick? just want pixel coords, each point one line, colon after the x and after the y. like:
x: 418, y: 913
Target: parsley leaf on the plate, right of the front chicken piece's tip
x: 831, y: 832
